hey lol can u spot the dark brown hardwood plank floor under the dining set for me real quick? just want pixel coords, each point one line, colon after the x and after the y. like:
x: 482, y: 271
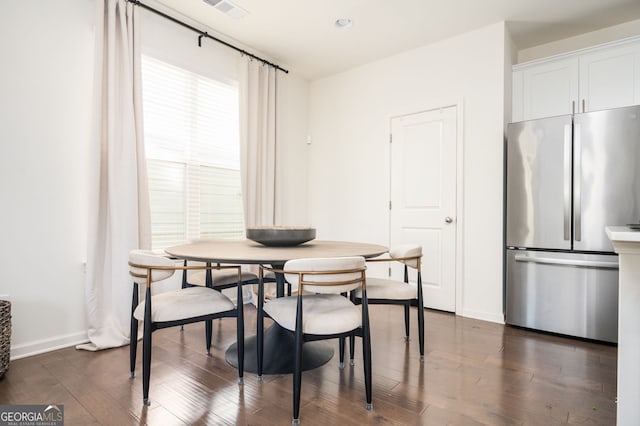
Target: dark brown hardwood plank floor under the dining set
x: 474, y: 373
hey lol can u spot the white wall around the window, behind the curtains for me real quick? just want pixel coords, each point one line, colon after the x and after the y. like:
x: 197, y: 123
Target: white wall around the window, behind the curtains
x: 45, y: 119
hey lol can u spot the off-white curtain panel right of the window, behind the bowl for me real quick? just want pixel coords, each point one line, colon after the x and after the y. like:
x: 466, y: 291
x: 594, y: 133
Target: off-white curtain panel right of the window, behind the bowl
x: 258, y: 141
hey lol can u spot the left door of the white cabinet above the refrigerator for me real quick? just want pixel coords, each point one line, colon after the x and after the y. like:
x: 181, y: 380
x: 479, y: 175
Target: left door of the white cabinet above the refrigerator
x: 550, y: 89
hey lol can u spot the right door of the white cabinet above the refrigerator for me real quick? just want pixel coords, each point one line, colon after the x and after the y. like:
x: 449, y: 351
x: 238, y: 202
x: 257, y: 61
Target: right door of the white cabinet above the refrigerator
x: 610, y: 78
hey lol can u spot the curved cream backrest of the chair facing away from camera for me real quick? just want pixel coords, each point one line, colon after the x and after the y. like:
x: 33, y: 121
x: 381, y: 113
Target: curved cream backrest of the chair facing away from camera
x: 332, y: 275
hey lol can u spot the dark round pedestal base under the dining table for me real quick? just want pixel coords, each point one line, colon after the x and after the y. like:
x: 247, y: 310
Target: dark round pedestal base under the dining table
x: 279, y: 352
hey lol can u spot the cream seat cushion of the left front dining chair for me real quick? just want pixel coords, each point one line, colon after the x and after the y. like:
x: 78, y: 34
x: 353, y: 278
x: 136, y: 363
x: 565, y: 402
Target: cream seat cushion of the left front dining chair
x: 185, y: 303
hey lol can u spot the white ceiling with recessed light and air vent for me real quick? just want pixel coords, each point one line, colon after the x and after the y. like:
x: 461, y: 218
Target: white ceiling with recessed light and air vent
x: 300, y: 35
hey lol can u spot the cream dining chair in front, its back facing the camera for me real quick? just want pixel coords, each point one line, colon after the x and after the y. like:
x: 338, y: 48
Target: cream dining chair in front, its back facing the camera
x: 319, y: 311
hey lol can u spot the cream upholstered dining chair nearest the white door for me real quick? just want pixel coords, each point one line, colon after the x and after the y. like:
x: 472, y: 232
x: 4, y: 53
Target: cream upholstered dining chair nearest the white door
x: 386, y: 291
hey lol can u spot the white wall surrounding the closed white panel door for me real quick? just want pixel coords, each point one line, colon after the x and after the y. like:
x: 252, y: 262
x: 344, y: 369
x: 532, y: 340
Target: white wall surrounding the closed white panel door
x: 349, y: 154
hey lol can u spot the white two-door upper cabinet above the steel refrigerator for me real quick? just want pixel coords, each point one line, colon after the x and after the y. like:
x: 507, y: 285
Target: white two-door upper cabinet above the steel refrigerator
x: 589, y: 80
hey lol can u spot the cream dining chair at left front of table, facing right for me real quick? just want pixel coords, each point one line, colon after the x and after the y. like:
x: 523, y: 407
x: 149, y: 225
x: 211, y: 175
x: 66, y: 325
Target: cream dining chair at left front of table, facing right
x: 177, y: 307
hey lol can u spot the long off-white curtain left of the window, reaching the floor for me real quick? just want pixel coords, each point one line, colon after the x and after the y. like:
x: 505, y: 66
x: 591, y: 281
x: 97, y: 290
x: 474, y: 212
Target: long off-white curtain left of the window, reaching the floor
x: 119, y: 215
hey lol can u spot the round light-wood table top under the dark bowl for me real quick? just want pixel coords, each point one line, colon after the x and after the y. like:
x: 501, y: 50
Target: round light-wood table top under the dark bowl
x: 247, y: 251
